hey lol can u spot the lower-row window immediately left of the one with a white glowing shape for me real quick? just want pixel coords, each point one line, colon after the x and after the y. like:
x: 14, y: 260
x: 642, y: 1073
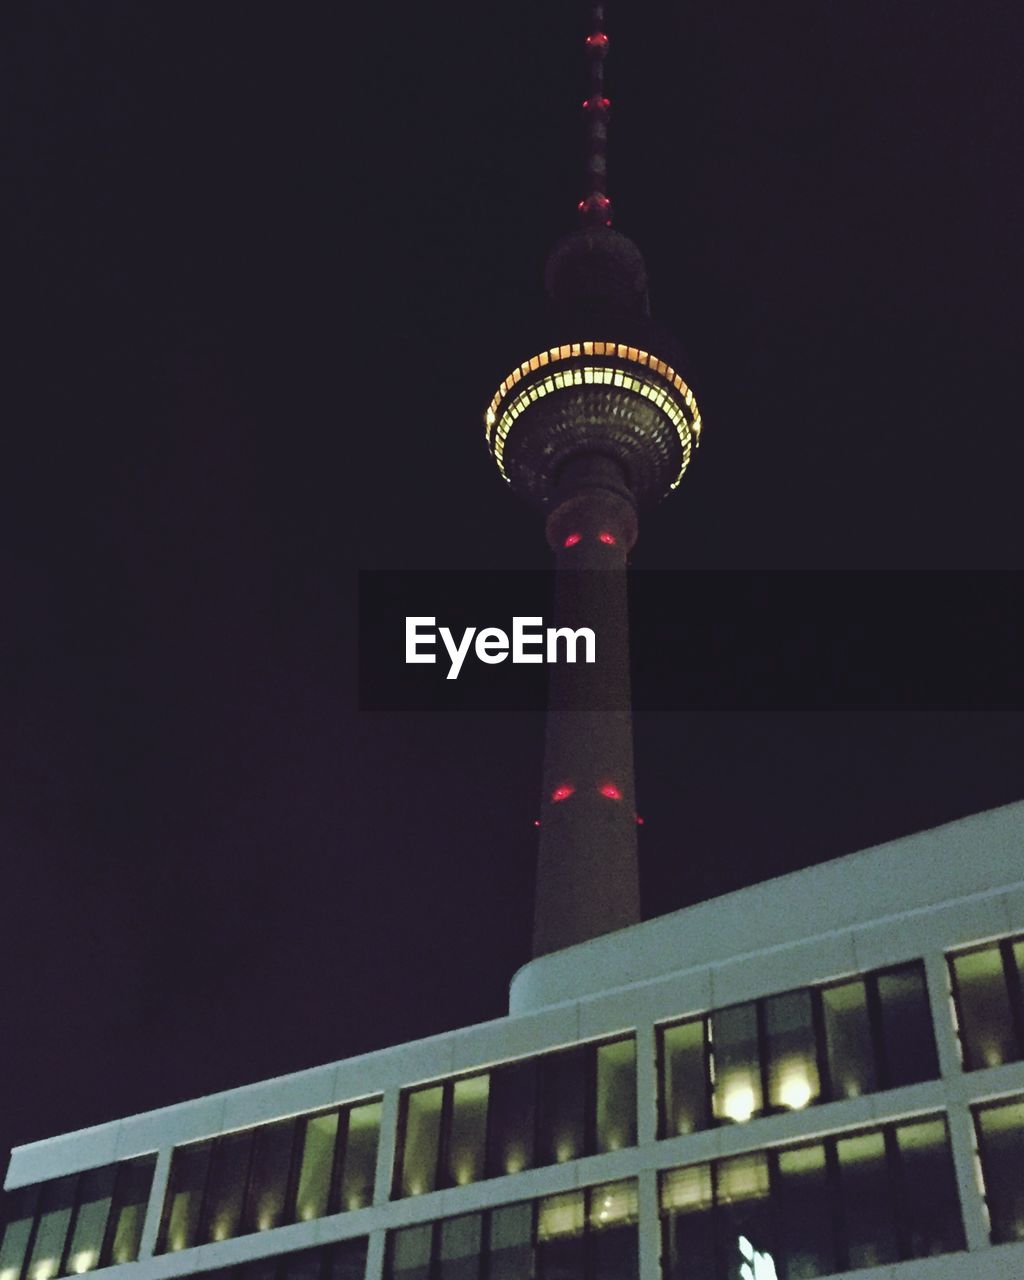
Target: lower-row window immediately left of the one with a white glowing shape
x: 584, y: 1235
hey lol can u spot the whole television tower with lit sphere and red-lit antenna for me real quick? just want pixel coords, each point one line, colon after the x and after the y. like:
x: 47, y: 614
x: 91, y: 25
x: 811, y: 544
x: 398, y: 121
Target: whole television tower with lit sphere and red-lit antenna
x: 595, y: 424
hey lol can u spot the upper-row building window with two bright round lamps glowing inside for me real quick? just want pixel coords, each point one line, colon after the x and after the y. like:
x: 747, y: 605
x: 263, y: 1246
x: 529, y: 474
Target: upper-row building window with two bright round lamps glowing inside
x: 802, y: 1048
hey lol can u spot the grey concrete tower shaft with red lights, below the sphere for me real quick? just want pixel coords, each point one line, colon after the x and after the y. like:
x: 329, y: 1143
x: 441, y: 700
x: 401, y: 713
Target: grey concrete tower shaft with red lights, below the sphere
x: 588, y: 876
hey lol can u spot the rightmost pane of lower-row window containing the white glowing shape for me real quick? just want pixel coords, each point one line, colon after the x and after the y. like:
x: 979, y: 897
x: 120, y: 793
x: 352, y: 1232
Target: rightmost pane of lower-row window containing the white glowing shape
x: 932, y: 1220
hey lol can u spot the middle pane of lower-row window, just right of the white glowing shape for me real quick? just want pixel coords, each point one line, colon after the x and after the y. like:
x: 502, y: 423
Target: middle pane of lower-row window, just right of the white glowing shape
x: 804, y: 1214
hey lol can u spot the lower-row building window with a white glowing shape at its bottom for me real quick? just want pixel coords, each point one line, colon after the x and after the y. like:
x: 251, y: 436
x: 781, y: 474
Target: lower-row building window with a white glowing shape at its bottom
x: 852, y: 1201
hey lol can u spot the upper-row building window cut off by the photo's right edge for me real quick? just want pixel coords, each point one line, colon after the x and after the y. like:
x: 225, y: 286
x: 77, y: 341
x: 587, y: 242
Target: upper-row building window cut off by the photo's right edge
x: 990, y: 1012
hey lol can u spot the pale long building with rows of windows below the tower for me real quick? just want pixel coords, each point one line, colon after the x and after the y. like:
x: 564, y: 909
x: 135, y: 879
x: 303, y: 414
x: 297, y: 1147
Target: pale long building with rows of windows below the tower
x: 817, y: 1076
